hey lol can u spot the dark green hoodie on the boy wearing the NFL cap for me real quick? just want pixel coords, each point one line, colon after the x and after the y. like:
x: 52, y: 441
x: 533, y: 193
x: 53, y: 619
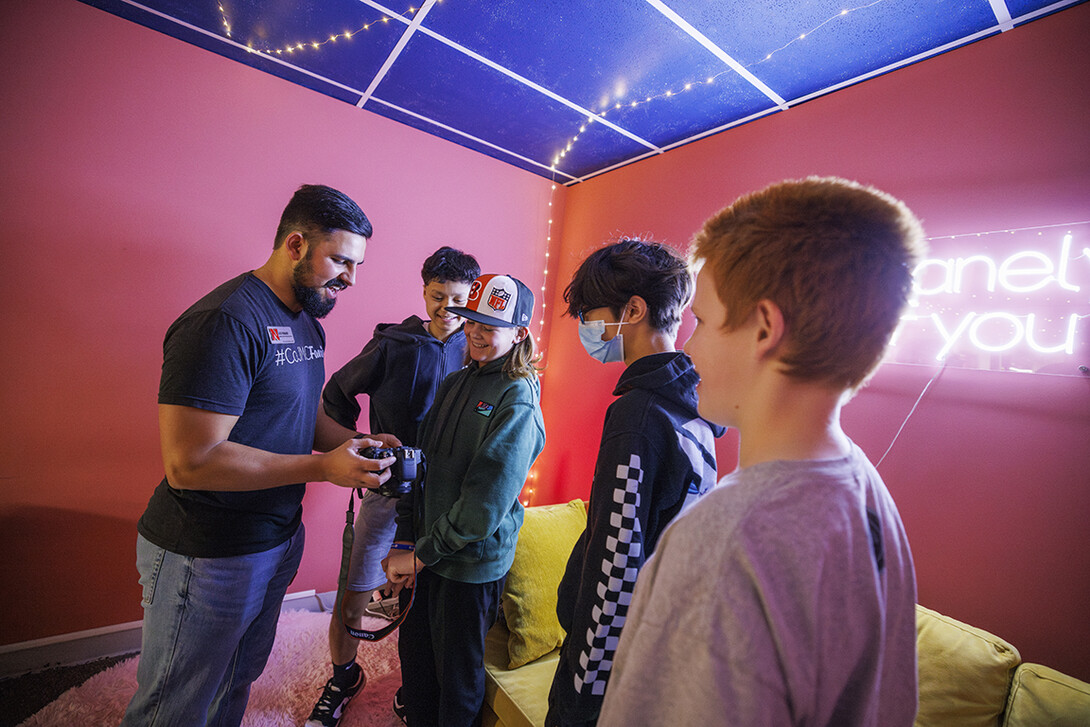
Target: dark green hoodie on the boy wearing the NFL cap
x: 480, y: 439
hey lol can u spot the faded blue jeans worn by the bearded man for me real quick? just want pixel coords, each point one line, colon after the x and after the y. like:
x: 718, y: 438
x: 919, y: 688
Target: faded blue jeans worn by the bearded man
x: 209, y: 629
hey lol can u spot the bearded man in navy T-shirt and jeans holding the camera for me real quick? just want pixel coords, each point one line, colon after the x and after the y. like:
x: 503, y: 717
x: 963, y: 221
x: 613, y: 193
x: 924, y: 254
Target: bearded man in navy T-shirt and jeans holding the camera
x: 239, y: 423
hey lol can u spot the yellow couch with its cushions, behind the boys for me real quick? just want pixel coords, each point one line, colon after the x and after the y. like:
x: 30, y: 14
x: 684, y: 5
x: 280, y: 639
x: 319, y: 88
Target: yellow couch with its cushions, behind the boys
x: 968, y: 677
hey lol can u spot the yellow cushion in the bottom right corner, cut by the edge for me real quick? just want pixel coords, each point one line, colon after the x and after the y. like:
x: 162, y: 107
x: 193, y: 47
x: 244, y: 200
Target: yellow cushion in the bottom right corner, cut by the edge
x: 1041, y: 696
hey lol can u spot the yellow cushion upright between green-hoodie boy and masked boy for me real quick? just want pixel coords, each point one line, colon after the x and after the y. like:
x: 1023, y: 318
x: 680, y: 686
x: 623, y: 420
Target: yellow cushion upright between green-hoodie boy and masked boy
x: 549, y: 534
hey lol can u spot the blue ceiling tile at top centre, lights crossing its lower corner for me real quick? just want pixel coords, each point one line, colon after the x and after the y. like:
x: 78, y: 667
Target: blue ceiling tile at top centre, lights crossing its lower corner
x: 616, y: 57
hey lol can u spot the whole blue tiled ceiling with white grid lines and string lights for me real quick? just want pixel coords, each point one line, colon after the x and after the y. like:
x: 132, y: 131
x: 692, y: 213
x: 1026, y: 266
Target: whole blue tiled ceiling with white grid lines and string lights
x: 520, y: 81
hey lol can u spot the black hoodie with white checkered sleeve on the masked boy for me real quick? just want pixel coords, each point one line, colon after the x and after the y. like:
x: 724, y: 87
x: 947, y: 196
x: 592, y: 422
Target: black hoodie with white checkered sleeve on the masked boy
x: 657, y: 457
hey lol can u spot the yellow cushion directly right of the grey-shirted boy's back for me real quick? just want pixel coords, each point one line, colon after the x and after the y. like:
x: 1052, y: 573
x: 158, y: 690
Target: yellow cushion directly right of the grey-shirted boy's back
x: 965, y: 672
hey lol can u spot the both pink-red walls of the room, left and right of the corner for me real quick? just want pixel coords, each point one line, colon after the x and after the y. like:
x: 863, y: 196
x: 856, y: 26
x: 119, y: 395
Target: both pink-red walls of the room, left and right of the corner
x: 139, y: 173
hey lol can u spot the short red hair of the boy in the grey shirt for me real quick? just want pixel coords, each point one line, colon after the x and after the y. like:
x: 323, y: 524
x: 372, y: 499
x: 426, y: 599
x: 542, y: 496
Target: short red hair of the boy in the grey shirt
x: 835, y: 257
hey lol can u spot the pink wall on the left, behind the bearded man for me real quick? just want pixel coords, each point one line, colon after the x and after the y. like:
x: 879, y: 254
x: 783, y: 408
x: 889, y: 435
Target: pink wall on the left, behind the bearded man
x: 140, y: 173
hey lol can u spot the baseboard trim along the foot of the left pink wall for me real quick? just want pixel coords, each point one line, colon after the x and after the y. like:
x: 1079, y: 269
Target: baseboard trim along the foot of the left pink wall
x: 82, y: 647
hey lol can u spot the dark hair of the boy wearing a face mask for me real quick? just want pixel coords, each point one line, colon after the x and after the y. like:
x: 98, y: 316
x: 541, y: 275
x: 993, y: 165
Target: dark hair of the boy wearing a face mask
x: 615, y: 273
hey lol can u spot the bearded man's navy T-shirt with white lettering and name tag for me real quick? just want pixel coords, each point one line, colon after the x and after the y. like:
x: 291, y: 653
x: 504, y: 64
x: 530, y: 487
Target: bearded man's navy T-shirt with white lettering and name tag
x: 240, y: 352
